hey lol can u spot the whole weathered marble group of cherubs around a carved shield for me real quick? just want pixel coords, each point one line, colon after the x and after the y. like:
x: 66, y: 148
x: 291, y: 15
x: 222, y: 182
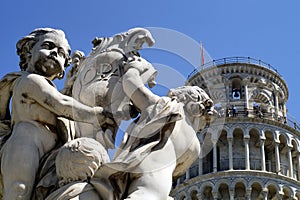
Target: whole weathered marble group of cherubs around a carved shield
x: 54, y: 144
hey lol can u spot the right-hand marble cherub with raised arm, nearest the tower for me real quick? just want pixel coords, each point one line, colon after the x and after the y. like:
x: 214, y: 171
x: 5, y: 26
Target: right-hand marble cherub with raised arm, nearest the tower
x: 161, y: 144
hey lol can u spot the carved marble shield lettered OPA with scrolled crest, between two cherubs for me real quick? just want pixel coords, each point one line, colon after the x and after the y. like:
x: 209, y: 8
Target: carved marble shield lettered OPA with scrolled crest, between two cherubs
x: 97, y: 80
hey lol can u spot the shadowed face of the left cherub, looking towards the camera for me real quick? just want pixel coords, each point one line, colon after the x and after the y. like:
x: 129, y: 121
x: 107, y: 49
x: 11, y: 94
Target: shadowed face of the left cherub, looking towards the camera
x: 48, y: 55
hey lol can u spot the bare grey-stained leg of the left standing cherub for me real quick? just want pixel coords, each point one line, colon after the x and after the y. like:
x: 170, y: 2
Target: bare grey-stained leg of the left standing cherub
x: 20, y: 160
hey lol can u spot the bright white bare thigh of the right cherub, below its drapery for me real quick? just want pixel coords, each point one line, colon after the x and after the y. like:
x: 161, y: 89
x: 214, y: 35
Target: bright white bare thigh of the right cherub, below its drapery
x: 151, y: 185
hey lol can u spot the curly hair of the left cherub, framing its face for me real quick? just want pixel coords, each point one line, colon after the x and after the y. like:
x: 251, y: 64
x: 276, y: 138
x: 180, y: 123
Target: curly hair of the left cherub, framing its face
x: 25, y: 44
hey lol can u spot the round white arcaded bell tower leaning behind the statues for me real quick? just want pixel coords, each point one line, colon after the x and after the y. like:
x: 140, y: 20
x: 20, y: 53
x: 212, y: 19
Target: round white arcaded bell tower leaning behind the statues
x: 252, y: 150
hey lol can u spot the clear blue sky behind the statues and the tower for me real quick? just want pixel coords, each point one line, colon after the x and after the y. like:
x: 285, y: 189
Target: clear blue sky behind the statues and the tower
x: 268, y: 30
